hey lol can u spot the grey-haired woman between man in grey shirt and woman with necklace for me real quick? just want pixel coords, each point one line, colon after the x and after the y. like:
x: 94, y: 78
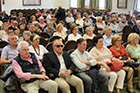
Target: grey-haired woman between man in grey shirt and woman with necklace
x: 26, y: 37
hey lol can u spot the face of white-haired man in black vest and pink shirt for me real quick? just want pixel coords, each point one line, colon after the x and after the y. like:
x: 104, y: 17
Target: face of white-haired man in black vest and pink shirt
x: 24, y: 51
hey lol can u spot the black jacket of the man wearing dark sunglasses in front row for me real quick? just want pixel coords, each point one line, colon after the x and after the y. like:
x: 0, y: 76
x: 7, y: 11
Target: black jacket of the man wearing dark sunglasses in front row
x: 52, y: 64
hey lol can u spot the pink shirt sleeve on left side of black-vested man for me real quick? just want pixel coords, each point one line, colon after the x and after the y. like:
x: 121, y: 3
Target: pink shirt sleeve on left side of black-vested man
x: 18, y: 71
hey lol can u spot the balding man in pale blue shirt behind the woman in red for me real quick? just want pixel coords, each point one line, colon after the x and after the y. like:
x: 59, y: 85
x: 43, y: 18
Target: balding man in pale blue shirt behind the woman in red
x: 107, y: 36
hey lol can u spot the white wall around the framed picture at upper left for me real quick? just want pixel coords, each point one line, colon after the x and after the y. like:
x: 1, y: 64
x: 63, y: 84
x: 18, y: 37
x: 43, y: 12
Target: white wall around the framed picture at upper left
x: 17, y: 4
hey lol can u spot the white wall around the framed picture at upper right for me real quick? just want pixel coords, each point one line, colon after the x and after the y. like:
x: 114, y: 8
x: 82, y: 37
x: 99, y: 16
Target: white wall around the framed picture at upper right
x: 130, y: 6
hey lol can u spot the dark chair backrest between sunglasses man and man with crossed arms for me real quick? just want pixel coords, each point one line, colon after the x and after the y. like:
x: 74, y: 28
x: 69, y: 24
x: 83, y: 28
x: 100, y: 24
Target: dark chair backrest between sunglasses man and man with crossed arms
x: 70, y: 45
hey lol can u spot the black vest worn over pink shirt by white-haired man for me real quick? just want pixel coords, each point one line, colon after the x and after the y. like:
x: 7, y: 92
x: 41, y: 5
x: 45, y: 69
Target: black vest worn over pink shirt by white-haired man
x: 28, y: 67
